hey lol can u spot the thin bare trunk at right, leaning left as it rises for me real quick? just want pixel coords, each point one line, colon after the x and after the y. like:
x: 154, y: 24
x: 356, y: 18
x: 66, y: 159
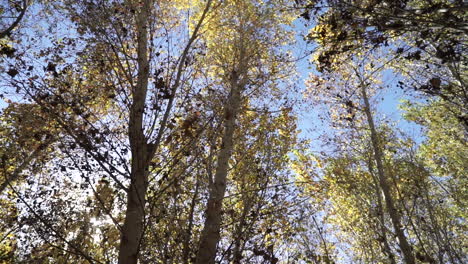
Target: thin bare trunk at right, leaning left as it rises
x: 394, y: 215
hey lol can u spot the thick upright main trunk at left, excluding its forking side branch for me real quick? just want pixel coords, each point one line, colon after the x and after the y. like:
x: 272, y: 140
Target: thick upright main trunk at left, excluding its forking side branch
x: 132, y: 230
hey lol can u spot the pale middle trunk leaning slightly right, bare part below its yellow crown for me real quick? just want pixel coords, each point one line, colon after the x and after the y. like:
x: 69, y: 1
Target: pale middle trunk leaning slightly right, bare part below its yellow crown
x: 211, y: 231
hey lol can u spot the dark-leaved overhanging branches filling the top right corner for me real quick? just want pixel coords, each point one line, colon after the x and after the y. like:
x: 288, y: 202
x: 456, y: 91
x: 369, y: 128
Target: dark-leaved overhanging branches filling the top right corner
x: 428, y: 35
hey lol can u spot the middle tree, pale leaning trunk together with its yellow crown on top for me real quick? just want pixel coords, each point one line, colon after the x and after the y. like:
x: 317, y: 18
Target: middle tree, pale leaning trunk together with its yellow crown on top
x: 241, y: 40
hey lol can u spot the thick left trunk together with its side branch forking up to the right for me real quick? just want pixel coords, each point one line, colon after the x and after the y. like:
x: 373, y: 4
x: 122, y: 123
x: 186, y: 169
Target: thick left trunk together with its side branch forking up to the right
x: 142, y: 151
